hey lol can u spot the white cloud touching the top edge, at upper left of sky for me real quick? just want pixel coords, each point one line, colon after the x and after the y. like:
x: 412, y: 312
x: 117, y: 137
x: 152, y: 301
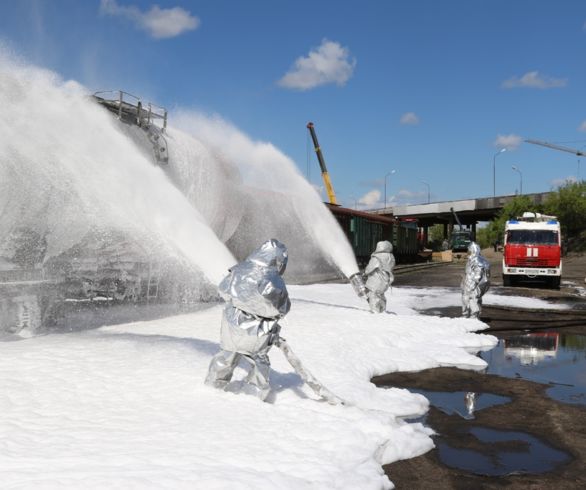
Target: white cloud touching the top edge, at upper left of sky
x: 159, y: 22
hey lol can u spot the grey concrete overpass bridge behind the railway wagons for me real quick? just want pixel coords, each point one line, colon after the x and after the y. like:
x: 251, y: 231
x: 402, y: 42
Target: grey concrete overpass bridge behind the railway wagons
x: 469, y: 211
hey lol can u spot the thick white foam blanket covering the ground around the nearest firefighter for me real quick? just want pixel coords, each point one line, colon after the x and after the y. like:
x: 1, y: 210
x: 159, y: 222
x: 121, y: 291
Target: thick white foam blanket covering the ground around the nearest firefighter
x: 125, y: 406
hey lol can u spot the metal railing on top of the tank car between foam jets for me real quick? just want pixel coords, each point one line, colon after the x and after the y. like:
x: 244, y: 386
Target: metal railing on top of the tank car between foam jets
x: 129, y: 106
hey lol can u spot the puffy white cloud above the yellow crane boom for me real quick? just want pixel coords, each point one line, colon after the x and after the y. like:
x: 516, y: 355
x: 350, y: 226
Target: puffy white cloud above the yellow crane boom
x: 329, y: 63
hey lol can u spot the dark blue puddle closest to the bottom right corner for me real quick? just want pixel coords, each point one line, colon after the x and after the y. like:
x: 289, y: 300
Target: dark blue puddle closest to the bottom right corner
x: 503, y: 453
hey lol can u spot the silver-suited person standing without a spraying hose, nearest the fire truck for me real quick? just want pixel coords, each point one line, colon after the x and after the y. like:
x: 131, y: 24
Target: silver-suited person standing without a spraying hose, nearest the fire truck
x: 475, y: 282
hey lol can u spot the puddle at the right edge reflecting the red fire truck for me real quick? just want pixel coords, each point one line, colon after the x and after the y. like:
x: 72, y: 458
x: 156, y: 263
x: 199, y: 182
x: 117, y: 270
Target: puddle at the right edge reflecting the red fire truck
x: 552, y: 358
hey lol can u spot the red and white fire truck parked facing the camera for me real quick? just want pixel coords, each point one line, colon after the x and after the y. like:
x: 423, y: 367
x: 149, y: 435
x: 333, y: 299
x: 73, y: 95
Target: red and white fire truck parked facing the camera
x: 532, y: 249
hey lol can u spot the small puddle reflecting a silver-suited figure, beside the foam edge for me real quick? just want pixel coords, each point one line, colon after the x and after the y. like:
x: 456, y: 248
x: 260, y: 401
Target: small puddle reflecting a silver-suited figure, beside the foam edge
x: 461, y: 403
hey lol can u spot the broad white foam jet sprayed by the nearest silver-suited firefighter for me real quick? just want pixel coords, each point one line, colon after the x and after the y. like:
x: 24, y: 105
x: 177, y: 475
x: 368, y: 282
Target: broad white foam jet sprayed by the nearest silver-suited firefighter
x: 66, y: 167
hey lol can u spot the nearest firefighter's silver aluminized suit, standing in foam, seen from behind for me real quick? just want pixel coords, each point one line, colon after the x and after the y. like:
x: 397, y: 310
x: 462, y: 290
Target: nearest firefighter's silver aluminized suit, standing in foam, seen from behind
x: 256, y: 298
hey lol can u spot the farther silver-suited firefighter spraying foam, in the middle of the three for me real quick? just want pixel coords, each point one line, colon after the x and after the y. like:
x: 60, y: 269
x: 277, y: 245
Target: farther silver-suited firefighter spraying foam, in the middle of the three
x: 379, y: 276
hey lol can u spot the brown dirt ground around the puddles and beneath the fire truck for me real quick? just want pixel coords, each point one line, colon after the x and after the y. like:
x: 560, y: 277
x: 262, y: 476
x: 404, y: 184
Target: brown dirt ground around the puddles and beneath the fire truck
x: 560, y: 425
